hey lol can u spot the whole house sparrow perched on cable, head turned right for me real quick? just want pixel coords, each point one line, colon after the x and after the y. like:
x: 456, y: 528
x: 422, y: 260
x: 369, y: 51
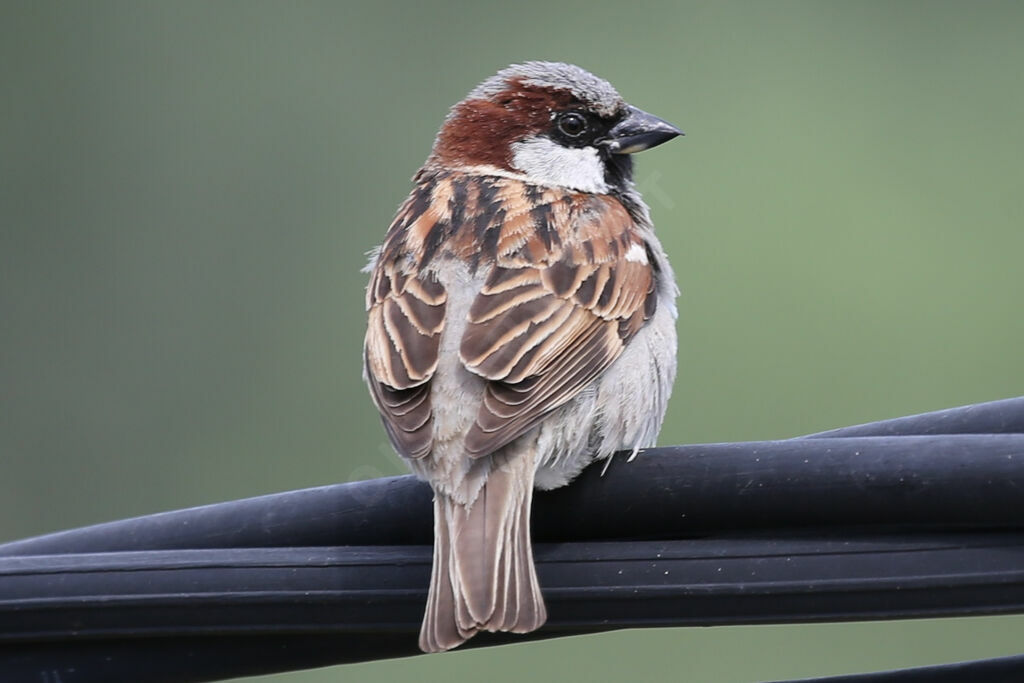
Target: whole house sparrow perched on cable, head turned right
x: 522, y: 325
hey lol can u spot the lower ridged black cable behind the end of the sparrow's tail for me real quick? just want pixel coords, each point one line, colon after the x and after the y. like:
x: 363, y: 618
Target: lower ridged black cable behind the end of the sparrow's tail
x: 367, y: 603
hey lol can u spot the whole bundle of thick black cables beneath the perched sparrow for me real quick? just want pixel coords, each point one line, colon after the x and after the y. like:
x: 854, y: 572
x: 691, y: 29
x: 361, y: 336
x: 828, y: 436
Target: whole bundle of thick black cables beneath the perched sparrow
x: 820, y: 529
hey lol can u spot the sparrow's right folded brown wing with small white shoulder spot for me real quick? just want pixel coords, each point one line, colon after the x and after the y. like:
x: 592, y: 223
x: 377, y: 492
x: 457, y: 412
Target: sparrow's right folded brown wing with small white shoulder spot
x: 550, y: 319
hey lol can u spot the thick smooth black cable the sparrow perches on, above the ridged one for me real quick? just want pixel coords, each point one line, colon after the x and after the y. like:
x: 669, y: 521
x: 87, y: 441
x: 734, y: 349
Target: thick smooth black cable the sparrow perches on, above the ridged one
x: 674, y: 492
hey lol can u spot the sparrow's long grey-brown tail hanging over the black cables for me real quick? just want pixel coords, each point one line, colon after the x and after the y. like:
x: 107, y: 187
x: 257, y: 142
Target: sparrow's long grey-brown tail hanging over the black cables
x: 484, y: 577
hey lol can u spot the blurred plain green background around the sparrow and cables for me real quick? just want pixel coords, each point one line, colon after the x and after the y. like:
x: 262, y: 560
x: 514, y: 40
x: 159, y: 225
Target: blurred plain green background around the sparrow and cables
x: 188, y: 189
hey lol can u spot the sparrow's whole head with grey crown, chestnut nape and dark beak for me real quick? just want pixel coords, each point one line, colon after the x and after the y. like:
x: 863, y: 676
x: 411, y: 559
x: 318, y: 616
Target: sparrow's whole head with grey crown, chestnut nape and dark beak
x: 550, y: 124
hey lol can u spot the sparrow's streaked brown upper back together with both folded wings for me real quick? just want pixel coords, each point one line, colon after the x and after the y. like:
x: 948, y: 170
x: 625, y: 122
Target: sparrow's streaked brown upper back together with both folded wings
x: 569, y: 285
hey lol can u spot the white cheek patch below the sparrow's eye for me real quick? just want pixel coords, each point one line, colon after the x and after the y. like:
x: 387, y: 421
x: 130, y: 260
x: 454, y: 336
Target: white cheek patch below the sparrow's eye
x: 547, y: 163
